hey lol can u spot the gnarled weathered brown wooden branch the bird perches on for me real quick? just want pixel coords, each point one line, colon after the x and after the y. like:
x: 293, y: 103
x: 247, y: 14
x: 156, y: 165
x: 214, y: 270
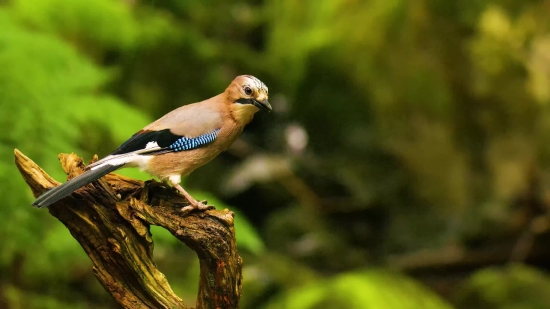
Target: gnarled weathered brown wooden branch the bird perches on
x: 110, y: 219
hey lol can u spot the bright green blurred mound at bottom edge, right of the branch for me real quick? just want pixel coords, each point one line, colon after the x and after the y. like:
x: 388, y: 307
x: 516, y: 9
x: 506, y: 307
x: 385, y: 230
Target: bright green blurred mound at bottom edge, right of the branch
x: 362, y: 290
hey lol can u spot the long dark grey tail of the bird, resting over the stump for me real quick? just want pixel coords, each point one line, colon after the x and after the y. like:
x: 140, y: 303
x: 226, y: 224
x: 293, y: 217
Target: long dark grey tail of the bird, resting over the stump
x: 57, y: 193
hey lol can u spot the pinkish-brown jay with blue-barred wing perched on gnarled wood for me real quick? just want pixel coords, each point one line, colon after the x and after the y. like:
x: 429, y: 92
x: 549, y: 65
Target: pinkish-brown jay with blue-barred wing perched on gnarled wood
x: 179, y: 142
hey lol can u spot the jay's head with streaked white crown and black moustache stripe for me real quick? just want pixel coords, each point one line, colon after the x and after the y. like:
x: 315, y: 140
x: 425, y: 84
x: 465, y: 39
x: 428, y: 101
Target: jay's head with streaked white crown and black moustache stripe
x: 248, y: 95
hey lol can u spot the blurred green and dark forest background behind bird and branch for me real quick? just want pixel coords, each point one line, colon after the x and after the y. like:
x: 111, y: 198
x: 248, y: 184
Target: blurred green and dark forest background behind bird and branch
x: 406, y: 163
